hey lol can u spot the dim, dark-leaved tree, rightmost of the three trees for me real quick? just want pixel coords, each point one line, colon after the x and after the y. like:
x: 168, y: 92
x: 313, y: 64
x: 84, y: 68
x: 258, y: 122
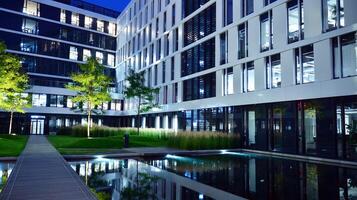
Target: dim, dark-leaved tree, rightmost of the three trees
x: 145, y: 96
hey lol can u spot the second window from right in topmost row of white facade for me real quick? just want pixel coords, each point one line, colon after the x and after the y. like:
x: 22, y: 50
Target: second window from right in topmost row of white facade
x: 295, y: 21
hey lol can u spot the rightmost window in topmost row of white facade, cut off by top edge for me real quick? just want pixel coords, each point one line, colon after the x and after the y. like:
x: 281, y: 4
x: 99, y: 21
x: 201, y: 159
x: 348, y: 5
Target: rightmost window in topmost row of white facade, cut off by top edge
x: 333, y: 14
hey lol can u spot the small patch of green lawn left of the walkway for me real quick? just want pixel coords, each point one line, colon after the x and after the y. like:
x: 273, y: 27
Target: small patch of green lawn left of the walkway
x: 11, y: 145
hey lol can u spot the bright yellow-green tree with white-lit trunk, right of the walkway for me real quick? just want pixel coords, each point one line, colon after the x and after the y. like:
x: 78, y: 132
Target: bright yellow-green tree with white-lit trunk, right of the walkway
x: 91, y: 85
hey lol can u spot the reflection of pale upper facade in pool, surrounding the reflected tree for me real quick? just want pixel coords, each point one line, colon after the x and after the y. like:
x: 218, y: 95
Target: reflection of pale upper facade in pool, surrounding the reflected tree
x: 112, y: 176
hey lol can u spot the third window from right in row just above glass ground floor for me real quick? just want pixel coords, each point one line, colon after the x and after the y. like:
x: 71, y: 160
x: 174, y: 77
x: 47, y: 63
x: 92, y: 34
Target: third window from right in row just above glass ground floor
x: 273, y: 71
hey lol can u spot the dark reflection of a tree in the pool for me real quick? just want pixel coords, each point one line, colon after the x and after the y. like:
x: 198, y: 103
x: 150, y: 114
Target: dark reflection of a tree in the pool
x: 143, y: 190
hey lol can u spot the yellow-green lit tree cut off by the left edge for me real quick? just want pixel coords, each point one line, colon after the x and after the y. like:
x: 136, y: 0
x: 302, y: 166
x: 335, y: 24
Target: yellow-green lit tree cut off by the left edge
x: 13, y: 85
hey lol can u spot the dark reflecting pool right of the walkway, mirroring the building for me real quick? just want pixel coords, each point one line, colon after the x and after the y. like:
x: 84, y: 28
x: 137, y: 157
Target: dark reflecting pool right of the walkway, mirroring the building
x: 224, y: 176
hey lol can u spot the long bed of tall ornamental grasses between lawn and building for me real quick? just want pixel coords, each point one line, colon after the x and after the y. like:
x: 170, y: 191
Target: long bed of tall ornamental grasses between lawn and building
x: 156, y: 138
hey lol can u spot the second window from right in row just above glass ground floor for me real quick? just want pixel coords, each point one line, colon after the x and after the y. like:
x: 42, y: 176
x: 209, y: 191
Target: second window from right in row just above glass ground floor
x: 305, y: 65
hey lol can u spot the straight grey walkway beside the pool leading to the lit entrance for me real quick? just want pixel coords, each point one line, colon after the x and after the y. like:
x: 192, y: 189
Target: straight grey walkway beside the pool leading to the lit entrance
x: 42, y: 173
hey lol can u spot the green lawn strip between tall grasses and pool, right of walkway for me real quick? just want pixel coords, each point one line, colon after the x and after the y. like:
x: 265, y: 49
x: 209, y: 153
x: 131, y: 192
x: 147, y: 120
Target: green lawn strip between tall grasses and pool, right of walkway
x: 79, y: 145
